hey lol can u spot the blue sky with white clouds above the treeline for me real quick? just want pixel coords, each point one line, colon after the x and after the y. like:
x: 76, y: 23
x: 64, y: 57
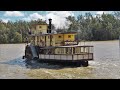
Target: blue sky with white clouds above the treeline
x: 58, y: 17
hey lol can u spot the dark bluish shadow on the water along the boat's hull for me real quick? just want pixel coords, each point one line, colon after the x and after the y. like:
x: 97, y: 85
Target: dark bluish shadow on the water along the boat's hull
x: 34, y: 64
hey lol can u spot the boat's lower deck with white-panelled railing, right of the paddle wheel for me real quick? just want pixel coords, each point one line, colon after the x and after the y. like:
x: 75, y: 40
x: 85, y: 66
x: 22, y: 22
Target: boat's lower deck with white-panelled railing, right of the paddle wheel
x: 84, y: 53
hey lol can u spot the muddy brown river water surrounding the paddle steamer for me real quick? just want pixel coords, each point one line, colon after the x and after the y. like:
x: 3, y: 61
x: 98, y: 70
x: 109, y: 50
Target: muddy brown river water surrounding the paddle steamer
x: 106, y: 64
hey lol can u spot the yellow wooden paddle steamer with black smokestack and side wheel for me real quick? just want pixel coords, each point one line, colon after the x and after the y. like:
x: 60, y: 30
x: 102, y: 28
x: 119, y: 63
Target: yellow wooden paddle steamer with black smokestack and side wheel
x: 60, y: 48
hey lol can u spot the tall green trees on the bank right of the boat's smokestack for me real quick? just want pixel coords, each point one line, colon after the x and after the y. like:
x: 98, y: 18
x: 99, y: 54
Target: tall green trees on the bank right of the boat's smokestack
x: 101, y: 27
